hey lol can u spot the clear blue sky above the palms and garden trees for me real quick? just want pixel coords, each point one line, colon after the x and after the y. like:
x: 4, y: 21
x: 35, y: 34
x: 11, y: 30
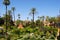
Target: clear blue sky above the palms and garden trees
x: 43, y: 8
